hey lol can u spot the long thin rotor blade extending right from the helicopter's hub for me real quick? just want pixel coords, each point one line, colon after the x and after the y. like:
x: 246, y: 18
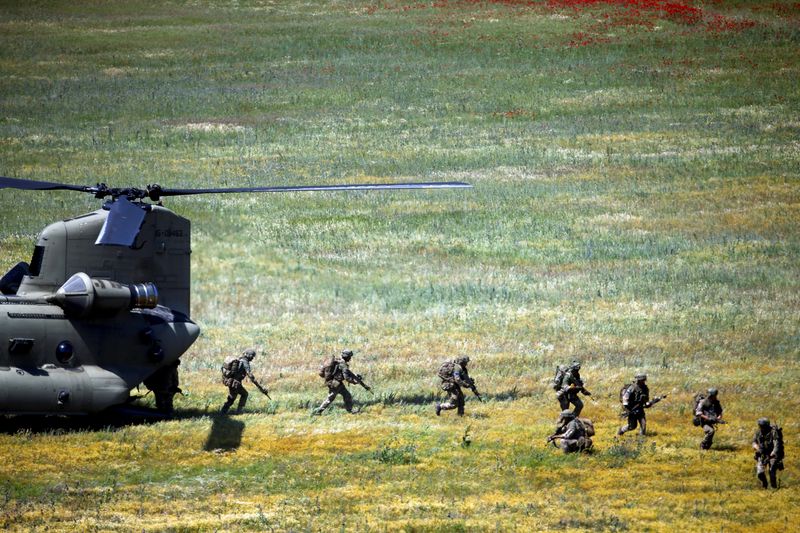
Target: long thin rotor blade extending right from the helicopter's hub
x: 157, y: 192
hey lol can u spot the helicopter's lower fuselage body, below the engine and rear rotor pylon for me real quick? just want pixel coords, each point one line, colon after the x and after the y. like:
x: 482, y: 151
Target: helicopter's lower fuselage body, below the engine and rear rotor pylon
x: 56, y: 364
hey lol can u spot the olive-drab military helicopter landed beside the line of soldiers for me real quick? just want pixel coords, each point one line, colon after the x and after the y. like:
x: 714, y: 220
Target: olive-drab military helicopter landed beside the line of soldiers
x: 103, y: 305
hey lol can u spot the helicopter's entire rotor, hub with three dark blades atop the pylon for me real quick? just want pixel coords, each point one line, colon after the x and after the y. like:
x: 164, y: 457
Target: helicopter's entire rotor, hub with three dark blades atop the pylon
x: 125, y: 218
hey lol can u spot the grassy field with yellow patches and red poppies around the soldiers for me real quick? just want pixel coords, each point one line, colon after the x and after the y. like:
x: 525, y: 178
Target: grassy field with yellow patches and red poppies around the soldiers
x: 636, y: 202
